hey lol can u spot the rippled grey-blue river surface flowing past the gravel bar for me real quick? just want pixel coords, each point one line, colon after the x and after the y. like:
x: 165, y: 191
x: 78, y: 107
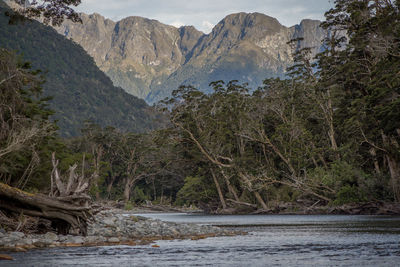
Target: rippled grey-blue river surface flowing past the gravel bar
x: 272, y: 240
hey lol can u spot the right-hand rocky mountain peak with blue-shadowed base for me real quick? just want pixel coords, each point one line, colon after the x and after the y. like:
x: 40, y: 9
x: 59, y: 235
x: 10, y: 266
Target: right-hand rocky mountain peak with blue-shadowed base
x: 244, y: 47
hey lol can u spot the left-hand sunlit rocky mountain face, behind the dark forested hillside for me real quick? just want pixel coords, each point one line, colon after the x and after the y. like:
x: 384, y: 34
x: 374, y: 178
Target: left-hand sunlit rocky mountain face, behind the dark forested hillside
x: 135, y: 52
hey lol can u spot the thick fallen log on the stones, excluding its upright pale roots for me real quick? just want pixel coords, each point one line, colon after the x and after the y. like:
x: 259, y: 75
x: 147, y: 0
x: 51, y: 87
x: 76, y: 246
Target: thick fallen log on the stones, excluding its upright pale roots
x: 63, y: 213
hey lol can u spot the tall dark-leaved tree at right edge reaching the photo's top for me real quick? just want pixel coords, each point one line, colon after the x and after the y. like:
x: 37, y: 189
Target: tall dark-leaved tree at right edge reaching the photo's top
x: 368, y: 80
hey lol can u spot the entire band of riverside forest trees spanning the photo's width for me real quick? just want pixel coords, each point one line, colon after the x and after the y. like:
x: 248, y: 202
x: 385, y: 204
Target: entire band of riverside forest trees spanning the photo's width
x: 327, y: 134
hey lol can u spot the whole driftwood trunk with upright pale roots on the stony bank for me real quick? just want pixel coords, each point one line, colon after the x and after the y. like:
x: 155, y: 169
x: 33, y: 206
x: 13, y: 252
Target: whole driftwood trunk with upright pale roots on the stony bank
x: 67, y: 206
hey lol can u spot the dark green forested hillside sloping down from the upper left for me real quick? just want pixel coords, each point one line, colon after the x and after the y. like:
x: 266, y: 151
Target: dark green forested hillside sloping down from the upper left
x: 80, y: 90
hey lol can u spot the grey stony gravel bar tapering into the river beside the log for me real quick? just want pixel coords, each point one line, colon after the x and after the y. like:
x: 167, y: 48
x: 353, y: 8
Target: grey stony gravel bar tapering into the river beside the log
x: 112, y: 227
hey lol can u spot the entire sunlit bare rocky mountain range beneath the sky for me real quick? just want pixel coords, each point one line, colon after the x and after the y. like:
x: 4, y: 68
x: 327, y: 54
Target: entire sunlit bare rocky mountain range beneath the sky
x: 150, y: 59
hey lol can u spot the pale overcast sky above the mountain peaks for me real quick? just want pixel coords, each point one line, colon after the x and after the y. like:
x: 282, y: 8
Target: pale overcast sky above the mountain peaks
x: 204, y: 14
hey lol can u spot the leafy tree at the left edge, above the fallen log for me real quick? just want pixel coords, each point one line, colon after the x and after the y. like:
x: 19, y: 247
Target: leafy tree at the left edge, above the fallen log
x: 24, y: 119
